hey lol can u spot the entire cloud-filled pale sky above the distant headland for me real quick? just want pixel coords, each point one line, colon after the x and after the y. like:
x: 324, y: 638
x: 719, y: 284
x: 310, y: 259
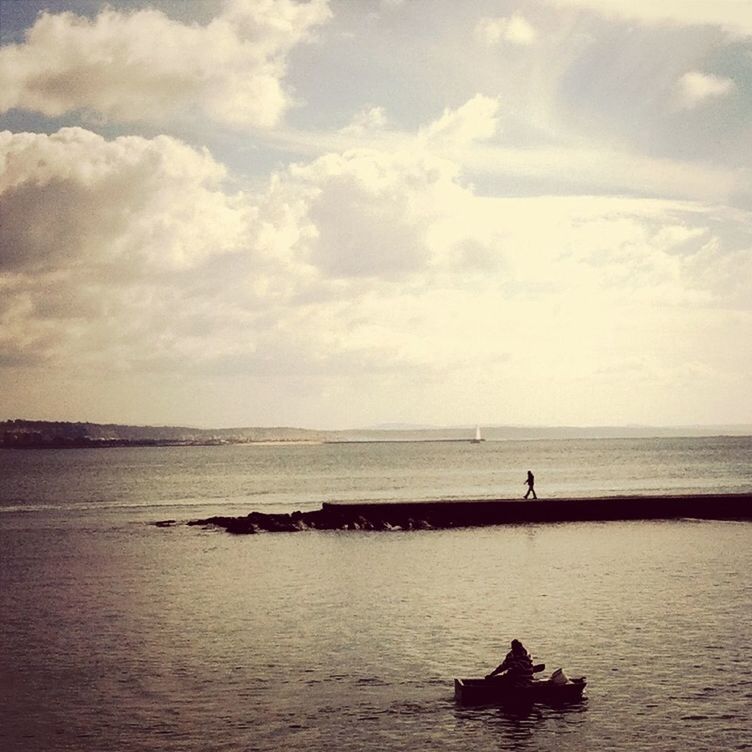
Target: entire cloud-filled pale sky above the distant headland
x: 350, y: 213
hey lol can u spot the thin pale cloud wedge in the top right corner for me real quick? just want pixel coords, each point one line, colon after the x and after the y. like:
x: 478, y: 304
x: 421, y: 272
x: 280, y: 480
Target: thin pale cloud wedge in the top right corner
x: 732, y: 15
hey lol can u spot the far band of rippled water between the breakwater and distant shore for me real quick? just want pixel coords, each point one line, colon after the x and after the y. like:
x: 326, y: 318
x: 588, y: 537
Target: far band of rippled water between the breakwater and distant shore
x: 195, y: 481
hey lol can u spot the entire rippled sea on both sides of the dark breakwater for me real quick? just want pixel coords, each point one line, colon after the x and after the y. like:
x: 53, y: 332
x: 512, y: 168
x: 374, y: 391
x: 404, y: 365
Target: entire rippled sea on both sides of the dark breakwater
x: 120, y: 635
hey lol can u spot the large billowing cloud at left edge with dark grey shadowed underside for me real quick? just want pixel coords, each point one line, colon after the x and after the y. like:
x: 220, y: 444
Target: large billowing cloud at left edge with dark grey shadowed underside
x: 101, y: 240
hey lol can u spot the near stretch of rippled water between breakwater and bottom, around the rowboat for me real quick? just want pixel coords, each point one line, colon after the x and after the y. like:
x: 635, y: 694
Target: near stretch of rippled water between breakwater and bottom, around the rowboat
x: 142, y: 640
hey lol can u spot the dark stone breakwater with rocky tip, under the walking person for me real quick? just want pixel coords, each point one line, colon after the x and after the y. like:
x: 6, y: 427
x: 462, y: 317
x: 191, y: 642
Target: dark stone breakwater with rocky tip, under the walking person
x: 439, y: 515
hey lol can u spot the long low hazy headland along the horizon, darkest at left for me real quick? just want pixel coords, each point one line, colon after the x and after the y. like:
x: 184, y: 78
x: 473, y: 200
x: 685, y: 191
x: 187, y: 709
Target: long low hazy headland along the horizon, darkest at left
x: 38, y: 434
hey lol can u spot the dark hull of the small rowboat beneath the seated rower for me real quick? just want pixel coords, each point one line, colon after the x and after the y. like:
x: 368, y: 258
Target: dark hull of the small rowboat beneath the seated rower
x: 497, y: 691
